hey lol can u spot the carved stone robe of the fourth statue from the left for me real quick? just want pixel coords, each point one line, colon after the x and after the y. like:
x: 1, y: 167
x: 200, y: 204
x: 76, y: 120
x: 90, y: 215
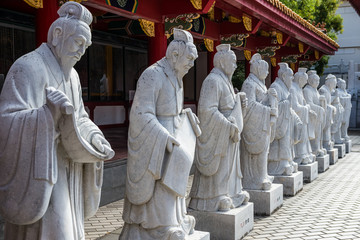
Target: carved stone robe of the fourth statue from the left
x: 256, y: 135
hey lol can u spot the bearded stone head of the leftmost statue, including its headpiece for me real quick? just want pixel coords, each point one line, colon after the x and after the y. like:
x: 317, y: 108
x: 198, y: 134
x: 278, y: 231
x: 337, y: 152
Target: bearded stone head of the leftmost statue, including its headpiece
x: 69, y: 36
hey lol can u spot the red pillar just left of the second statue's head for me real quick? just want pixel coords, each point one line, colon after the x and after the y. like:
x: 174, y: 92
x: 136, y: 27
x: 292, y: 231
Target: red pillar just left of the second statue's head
x: 157, y: 45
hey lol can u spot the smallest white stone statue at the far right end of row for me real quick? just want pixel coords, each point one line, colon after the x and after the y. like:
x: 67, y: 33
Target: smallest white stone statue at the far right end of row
x: 345, y: 100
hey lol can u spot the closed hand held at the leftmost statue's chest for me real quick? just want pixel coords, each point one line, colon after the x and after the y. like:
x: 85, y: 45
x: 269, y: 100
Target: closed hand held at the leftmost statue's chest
x: 58, y: 103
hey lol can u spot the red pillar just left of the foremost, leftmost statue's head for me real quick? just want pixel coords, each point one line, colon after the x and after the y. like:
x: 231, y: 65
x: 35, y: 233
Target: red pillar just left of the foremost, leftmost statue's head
x: 44, y: 18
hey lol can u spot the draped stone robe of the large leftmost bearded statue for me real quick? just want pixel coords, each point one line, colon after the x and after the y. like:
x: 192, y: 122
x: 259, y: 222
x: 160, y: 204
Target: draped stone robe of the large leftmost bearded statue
x: 44, y: 194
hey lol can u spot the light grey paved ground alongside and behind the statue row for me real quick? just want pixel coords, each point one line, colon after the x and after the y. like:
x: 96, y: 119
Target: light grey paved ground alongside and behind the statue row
x: 328, y: 208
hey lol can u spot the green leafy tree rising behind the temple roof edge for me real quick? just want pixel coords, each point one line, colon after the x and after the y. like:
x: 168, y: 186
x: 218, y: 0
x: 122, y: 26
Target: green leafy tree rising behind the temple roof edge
x: 319, y: 11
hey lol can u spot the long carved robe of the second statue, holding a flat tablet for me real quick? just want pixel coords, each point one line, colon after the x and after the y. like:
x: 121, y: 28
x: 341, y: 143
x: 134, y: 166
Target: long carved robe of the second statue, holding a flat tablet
x: 154, y: 116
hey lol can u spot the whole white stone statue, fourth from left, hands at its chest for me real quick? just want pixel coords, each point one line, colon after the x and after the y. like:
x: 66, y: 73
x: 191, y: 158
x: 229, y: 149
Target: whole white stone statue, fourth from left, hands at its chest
x: 260, y: 116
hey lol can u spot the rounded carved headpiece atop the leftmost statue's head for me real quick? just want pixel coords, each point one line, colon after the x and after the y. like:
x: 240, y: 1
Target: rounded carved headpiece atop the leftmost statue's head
x: 75, y: 10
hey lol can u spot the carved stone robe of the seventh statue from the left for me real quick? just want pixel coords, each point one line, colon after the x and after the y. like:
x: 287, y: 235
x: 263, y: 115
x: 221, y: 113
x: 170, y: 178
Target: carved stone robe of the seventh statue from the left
x: 312, y: 96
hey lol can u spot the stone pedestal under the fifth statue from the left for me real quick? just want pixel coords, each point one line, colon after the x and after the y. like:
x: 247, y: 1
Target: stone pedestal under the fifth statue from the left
x: 291, y: 184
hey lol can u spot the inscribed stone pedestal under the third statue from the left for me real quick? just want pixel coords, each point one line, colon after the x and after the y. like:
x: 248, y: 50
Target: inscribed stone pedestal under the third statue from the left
x: 229, y: 225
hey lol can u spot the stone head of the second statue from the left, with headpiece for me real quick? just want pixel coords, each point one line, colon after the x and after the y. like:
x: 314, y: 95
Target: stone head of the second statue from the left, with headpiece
x: 181, y: 52
